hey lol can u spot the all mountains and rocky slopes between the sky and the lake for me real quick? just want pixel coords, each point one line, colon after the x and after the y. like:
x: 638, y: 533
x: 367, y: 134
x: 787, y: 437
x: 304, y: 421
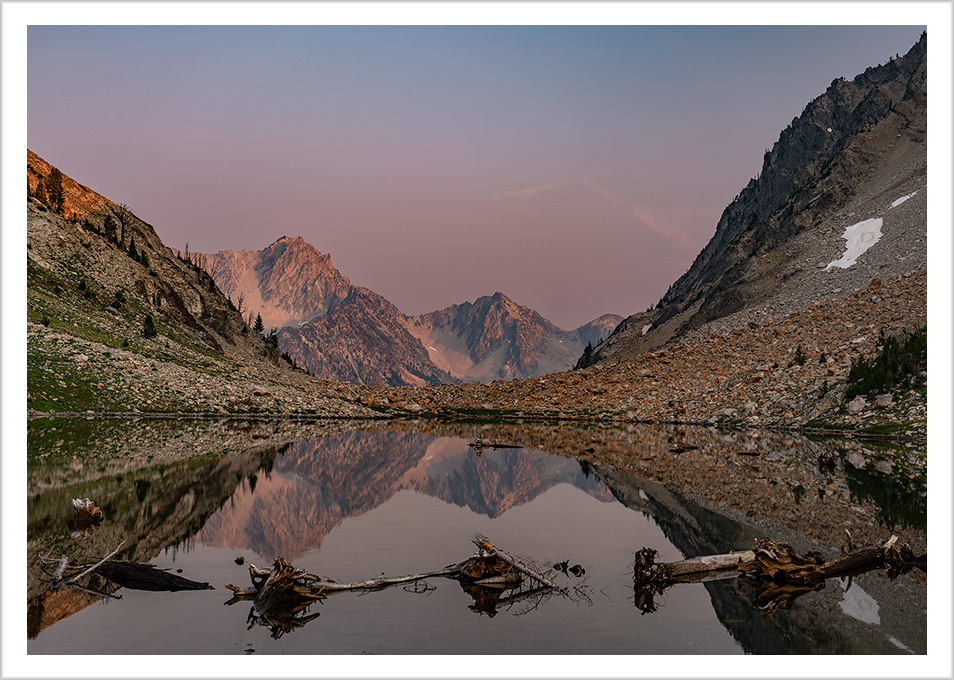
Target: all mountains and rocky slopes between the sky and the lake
x: 816, y: 262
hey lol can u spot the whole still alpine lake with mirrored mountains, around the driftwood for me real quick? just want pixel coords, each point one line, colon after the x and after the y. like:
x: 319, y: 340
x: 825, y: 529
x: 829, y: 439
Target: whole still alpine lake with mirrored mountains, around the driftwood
x: 205, y: 499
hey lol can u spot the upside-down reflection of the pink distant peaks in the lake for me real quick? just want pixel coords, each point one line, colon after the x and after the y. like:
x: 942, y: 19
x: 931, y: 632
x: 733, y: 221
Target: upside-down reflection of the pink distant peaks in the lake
x: 314, y: 485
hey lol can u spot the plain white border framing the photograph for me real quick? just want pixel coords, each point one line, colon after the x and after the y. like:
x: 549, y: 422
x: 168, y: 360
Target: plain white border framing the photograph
x: 17, y: 16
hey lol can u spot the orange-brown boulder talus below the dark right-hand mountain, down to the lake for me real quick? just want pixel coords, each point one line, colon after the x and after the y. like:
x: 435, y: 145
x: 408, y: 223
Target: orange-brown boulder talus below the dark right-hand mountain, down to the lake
x: 745, y: 376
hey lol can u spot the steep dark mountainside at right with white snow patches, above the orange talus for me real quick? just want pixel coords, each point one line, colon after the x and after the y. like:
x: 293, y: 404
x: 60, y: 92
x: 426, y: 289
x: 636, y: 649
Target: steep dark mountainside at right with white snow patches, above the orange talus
x: 856, y: 153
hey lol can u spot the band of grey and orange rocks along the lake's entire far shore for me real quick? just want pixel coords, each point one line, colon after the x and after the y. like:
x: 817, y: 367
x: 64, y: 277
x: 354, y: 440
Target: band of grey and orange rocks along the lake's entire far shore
x: 744, y: 377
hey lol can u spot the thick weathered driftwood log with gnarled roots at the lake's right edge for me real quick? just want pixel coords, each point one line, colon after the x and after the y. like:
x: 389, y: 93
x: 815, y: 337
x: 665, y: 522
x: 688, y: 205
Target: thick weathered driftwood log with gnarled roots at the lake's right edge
x: 778, y: 572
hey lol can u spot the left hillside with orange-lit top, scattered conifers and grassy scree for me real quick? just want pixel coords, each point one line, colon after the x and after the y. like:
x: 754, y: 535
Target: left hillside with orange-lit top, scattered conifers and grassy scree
x: 117, y: 322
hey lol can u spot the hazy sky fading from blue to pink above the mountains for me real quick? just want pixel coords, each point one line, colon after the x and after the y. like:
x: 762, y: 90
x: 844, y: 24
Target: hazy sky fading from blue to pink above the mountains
x: 579, y: 170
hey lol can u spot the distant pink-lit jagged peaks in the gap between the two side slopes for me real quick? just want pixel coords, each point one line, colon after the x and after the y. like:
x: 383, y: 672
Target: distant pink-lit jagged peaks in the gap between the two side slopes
x: 339, y: 331
